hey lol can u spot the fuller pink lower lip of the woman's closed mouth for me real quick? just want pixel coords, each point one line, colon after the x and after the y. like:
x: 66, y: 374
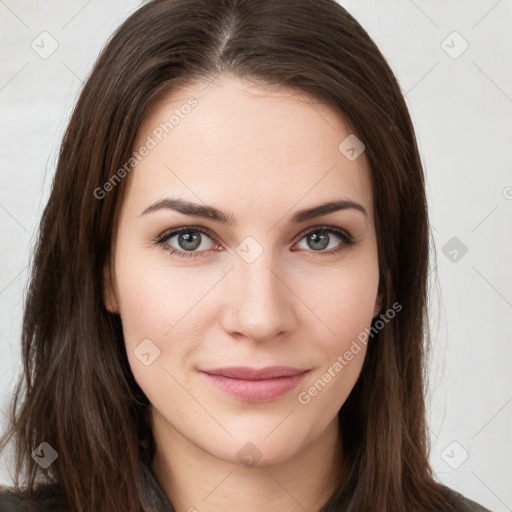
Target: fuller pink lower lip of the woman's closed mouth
x: 256, y: 390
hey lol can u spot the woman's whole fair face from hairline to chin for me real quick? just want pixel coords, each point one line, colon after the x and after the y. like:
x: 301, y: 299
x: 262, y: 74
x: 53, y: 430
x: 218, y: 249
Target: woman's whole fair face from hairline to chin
x: 268, y: 289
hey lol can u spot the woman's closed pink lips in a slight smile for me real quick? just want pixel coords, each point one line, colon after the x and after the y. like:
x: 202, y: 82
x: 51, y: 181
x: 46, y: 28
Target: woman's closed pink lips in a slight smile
x: 255, y: 385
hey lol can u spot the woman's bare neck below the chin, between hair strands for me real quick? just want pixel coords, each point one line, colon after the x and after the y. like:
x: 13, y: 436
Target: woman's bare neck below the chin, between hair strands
x: 194, y: 480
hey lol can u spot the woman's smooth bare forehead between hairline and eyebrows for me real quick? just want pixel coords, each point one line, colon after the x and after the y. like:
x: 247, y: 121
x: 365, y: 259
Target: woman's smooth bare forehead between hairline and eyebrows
x: 248, y: 145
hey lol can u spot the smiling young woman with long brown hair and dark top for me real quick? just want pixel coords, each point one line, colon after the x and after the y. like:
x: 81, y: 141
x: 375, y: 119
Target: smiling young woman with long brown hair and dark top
x: 229, y: 290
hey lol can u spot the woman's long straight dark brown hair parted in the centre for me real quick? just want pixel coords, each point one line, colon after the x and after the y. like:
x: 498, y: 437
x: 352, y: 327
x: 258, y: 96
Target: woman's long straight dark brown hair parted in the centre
x: 77, y: 392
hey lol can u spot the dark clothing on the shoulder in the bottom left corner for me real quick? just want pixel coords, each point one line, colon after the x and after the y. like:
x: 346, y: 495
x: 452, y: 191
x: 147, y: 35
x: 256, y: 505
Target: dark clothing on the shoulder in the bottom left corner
x: 45, y: 498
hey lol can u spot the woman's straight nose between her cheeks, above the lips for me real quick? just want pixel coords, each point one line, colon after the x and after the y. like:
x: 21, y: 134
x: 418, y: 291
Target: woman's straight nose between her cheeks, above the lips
x: 259, y: 302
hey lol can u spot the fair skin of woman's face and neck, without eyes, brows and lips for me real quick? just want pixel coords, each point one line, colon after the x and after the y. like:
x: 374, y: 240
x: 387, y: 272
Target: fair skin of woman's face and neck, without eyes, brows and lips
x: 260, y: 154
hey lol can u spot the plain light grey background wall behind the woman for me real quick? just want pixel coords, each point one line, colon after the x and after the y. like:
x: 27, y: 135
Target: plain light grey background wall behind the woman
x: 462, y: 110
